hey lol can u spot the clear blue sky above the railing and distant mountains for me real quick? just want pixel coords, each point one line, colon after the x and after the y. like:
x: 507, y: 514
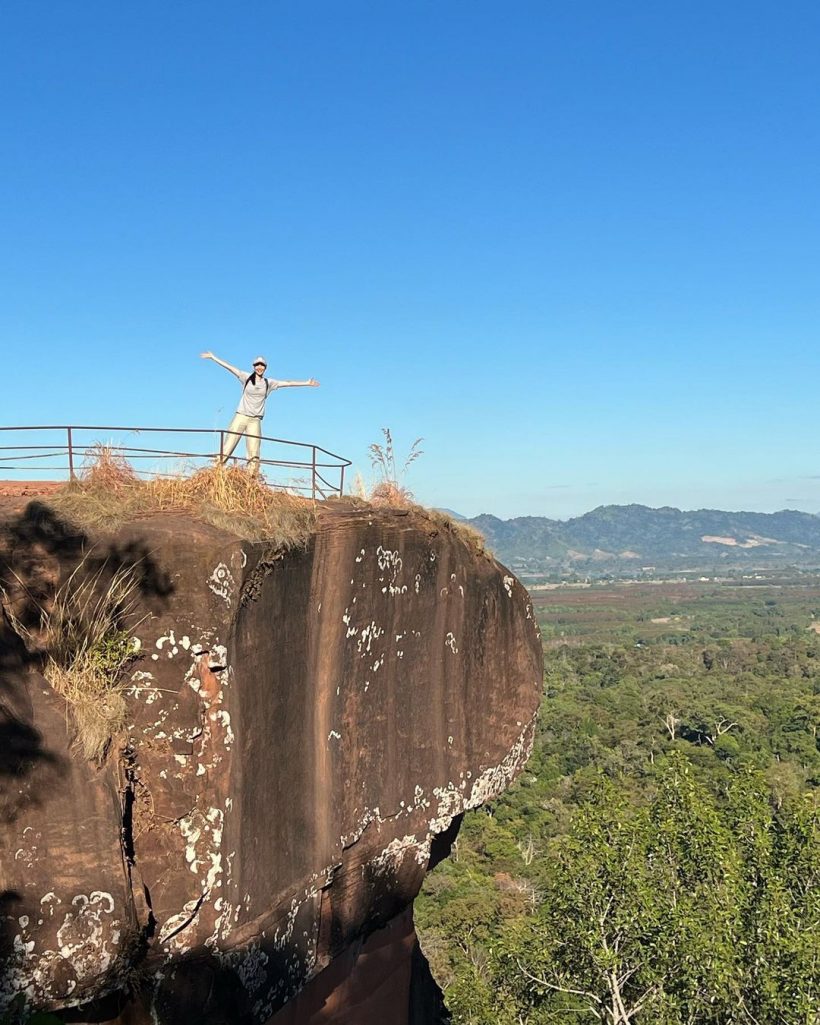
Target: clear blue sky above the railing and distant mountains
x: 573, y: 245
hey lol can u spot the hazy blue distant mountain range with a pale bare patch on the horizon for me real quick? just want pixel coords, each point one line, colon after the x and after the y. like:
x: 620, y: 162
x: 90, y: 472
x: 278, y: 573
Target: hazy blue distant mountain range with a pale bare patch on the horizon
x: 619, y: 539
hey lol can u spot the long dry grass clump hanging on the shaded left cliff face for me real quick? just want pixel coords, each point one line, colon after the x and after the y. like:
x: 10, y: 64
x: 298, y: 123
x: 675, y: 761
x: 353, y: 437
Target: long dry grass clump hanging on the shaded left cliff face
x: 85, y: 639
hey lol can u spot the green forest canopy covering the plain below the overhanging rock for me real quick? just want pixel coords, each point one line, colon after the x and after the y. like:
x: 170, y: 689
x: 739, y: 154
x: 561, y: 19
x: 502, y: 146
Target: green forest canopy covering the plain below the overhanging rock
x: 659, y: 859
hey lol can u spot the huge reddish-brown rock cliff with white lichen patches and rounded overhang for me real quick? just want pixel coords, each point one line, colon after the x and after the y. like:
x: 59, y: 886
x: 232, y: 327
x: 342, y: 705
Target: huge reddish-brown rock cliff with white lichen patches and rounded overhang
x: 305, y: 733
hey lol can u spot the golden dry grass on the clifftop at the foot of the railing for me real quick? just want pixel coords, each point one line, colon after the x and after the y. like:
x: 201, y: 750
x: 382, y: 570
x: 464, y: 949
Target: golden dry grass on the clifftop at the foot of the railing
x: 109, y: 494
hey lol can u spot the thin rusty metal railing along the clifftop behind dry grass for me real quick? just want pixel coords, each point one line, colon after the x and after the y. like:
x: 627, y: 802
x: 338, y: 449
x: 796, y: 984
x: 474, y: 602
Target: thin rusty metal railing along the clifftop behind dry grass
x: 66, y: 449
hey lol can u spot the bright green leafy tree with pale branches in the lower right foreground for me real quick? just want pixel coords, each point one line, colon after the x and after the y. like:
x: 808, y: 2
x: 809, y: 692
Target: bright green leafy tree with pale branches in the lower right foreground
x: 683, y: 912
